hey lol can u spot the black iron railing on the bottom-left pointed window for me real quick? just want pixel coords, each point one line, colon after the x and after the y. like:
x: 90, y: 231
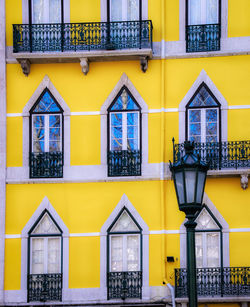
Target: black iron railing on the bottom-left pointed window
x: 44, y: 287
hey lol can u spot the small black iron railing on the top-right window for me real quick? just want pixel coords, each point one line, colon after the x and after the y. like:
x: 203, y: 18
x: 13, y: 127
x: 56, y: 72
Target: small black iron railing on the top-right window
x: 200, y: 38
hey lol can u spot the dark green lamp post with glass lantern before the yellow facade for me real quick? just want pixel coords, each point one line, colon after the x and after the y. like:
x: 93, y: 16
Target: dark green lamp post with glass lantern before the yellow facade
x: 189, y: 174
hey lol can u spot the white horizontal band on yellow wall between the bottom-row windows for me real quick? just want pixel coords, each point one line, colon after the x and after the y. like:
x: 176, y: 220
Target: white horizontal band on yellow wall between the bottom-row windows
x: 152, y: 232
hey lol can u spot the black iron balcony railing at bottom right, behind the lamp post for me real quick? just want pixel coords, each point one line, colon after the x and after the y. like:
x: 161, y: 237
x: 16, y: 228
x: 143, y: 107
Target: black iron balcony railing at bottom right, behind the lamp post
x: 228, y: 281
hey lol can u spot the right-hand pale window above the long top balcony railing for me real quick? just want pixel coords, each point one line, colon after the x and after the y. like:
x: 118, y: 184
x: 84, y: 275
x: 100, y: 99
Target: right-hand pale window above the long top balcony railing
x: 124, y: 10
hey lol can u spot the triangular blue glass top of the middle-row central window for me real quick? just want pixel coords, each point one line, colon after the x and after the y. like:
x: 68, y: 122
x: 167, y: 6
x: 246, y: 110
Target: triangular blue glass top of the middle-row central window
x: 124, y: 102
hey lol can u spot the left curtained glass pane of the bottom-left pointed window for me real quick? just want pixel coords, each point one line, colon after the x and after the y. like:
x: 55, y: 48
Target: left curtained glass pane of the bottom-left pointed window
x: 37, y: 261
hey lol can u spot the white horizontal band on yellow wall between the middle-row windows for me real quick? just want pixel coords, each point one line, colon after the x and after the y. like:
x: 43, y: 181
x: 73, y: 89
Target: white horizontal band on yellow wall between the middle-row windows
x: 165, y: 110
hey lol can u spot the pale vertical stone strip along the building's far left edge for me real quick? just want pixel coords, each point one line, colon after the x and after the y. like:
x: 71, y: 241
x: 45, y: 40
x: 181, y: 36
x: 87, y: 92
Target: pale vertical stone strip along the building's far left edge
x: 2, y: 145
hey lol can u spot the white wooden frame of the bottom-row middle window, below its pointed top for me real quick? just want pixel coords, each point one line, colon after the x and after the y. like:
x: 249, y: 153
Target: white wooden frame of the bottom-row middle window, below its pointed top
x: 124, y: 250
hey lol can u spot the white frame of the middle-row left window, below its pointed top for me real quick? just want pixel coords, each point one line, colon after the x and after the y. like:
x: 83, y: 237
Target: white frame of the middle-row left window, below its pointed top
x: 46, y: 130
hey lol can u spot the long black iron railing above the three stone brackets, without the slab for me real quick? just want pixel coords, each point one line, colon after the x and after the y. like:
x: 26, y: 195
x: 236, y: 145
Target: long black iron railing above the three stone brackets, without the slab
x: 82, y: 36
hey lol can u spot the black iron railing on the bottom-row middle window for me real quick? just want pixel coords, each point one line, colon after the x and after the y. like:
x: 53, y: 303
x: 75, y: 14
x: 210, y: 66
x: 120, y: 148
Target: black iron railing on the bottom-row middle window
x: 122, y: 285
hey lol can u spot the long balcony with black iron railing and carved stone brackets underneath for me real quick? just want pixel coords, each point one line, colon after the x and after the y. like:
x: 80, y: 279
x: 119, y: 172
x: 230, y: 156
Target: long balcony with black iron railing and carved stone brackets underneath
x: 82, y: 42
